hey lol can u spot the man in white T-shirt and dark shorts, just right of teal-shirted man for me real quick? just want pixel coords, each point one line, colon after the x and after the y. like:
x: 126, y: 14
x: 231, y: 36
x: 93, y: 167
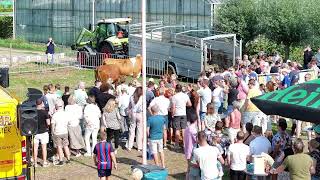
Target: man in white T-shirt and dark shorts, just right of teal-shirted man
x: 179, y: 103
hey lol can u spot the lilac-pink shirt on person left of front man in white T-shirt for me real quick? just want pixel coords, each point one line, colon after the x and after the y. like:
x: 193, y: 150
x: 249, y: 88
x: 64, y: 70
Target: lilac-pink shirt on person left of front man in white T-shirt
x: 190, y: 135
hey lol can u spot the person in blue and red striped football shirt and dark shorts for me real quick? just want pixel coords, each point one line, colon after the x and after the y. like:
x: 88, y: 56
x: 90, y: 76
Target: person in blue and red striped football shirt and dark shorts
x: 104, y: 157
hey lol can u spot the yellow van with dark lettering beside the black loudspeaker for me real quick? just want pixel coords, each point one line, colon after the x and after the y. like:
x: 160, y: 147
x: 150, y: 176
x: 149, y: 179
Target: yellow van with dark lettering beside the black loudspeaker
x: 13, y: 152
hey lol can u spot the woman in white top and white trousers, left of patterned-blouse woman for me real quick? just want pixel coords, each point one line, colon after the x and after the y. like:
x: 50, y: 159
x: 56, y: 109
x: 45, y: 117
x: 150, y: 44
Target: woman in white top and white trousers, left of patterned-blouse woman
x: 92, y: 116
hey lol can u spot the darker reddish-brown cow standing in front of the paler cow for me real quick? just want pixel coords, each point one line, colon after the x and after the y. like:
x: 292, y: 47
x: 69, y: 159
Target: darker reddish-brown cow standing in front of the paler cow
x: 107, y: 73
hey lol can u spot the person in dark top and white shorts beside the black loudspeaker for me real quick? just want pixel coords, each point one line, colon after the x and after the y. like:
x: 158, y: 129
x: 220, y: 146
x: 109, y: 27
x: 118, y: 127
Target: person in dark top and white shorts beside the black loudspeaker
x: 42, y: 135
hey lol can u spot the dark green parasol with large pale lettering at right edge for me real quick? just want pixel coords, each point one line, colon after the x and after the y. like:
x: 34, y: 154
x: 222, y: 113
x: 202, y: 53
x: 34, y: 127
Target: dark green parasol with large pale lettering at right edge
x: 300, y: 102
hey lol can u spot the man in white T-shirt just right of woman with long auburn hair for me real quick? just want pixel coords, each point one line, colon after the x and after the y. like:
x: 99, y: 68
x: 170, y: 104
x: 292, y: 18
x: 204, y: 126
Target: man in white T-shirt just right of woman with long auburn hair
x: 205, y: 98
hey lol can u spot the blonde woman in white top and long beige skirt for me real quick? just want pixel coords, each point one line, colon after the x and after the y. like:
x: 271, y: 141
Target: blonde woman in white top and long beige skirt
x: 74, y: 129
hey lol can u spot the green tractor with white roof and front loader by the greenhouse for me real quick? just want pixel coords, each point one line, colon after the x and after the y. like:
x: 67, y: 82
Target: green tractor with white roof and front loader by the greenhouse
x: 110, y: 37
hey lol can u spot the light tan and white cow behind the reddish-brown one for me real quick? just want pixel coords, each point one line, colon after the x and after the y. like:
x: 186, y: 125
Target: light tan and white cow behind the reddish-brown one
x: 127, y: 67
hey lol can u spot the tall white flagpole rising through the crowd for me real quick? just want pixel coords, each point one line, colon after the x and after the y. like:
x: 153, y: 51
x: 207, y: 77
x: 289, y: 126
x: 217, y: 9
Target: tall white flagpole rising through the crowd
x: 144, y: 80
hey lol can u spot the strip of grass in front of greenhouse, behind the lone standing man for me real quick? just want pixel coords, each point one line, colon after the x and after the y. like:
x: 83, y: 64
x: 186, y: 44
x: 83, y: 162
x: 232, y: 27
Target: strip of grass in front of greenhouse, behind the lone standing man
x: 25, y: 45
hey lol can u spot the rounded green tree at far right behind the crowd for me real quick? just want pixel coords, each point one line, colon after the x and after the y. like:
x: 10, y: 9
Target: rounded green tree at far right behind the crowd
x: 287, y: 22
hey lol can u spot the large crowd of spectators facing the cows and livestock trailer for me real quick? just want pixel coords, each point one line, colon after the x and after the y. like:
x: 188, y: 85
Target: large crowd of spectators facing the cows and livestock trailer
x: 213, y: 122
